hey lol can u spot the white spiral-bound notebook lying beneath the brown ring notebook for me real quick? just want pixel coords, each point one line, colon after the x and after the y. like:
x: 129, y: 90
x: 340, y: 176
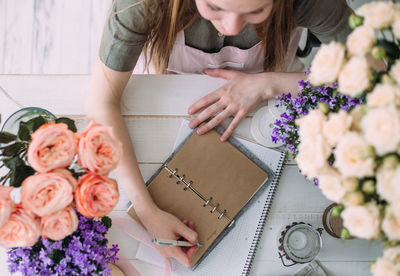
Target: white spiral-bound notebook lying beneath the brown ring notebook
x: 234, y: 254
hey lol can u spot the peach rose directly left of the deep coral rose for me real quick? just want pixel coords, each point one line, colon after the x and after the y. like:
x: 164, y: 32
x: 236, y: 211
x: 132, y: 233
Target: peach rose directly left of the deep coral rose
x: 47, y: 193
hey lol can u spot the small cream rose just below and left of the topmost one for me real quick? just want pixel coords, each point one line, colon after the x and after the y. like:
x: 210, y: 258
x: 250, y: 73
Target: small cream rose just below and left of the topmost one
x: 360, y: 41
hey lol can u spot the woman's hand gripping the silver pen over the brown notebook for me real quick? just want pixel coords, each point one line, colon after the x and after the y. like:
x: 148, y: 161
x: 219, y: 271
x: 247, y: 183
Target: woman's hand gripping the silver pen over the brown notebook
x: 163, y: 225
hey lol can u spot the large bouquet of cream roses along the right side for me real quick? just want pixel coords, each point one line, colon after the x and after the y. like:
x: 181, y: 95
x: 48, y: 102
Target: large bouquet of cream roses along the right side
x: 355, y: 154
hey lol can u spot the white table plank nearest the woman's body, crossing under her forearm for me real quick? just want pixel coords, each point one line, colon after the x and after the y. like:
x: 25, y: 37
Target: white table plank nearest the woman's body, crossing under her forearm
x: 145, y: 95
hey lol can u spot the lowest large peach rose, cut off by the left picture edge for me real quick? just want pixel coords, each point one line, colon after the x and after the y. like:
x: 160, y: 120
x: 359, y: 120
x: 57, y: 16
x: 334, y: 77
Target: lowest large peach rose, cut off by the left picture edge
x: 21, y: 229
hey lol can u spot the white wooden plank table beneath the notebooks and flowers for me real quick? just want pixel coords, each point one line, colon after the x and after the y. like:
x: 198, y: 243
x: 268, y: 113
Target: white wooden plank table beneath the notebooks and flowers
x: 154, y: 107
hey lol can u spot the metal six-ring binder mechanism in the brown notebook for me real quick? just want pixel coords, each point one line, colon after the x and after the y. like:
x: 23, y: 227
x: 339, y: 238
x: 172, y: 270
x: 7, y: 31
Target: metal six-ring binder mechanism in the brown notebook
x: 188, y: 185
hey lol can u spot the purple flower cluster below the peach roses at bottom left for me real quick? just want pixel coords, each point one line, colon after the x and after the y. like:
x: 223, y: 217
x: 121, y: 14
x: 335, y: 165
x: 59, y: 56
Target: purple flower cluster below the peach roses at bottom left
x: 84, y: 252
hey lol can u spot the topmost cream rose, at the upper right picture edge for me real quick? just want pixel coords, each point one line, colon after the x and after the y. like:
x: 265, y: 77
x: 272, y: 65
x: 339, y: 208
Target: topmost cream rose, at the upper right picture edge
x: 378, y: 15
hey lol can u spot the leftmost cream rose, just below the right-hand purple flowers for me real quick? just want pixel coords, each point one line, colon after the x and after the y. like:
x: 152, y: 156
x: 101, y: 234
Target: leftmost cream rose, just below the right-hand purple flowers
x: 313, y: 155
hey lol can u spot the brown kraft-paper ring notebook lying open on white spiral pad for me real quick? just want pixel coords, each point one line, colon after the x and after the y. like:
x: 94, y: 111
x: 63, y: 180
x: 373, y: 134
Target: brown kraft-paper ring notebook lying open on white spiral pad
x: 210, y: 183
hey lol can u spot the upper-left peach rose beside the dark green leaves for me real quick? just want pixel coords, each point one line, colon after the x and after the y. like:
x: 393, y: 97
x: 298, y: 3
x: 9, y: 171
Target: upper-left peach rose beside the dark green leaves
x: 52, y: 146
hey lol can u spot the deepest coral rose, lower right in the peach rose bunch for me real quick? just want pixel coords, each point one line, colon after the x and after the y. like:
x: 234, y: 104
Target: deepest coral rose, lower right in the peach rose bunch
x: 96, y: 195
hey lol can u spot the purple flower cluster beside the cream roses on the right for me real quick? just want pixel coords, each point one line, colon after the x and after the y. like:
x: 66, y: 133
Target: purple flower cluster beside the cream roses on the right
x: 308, y: 98
